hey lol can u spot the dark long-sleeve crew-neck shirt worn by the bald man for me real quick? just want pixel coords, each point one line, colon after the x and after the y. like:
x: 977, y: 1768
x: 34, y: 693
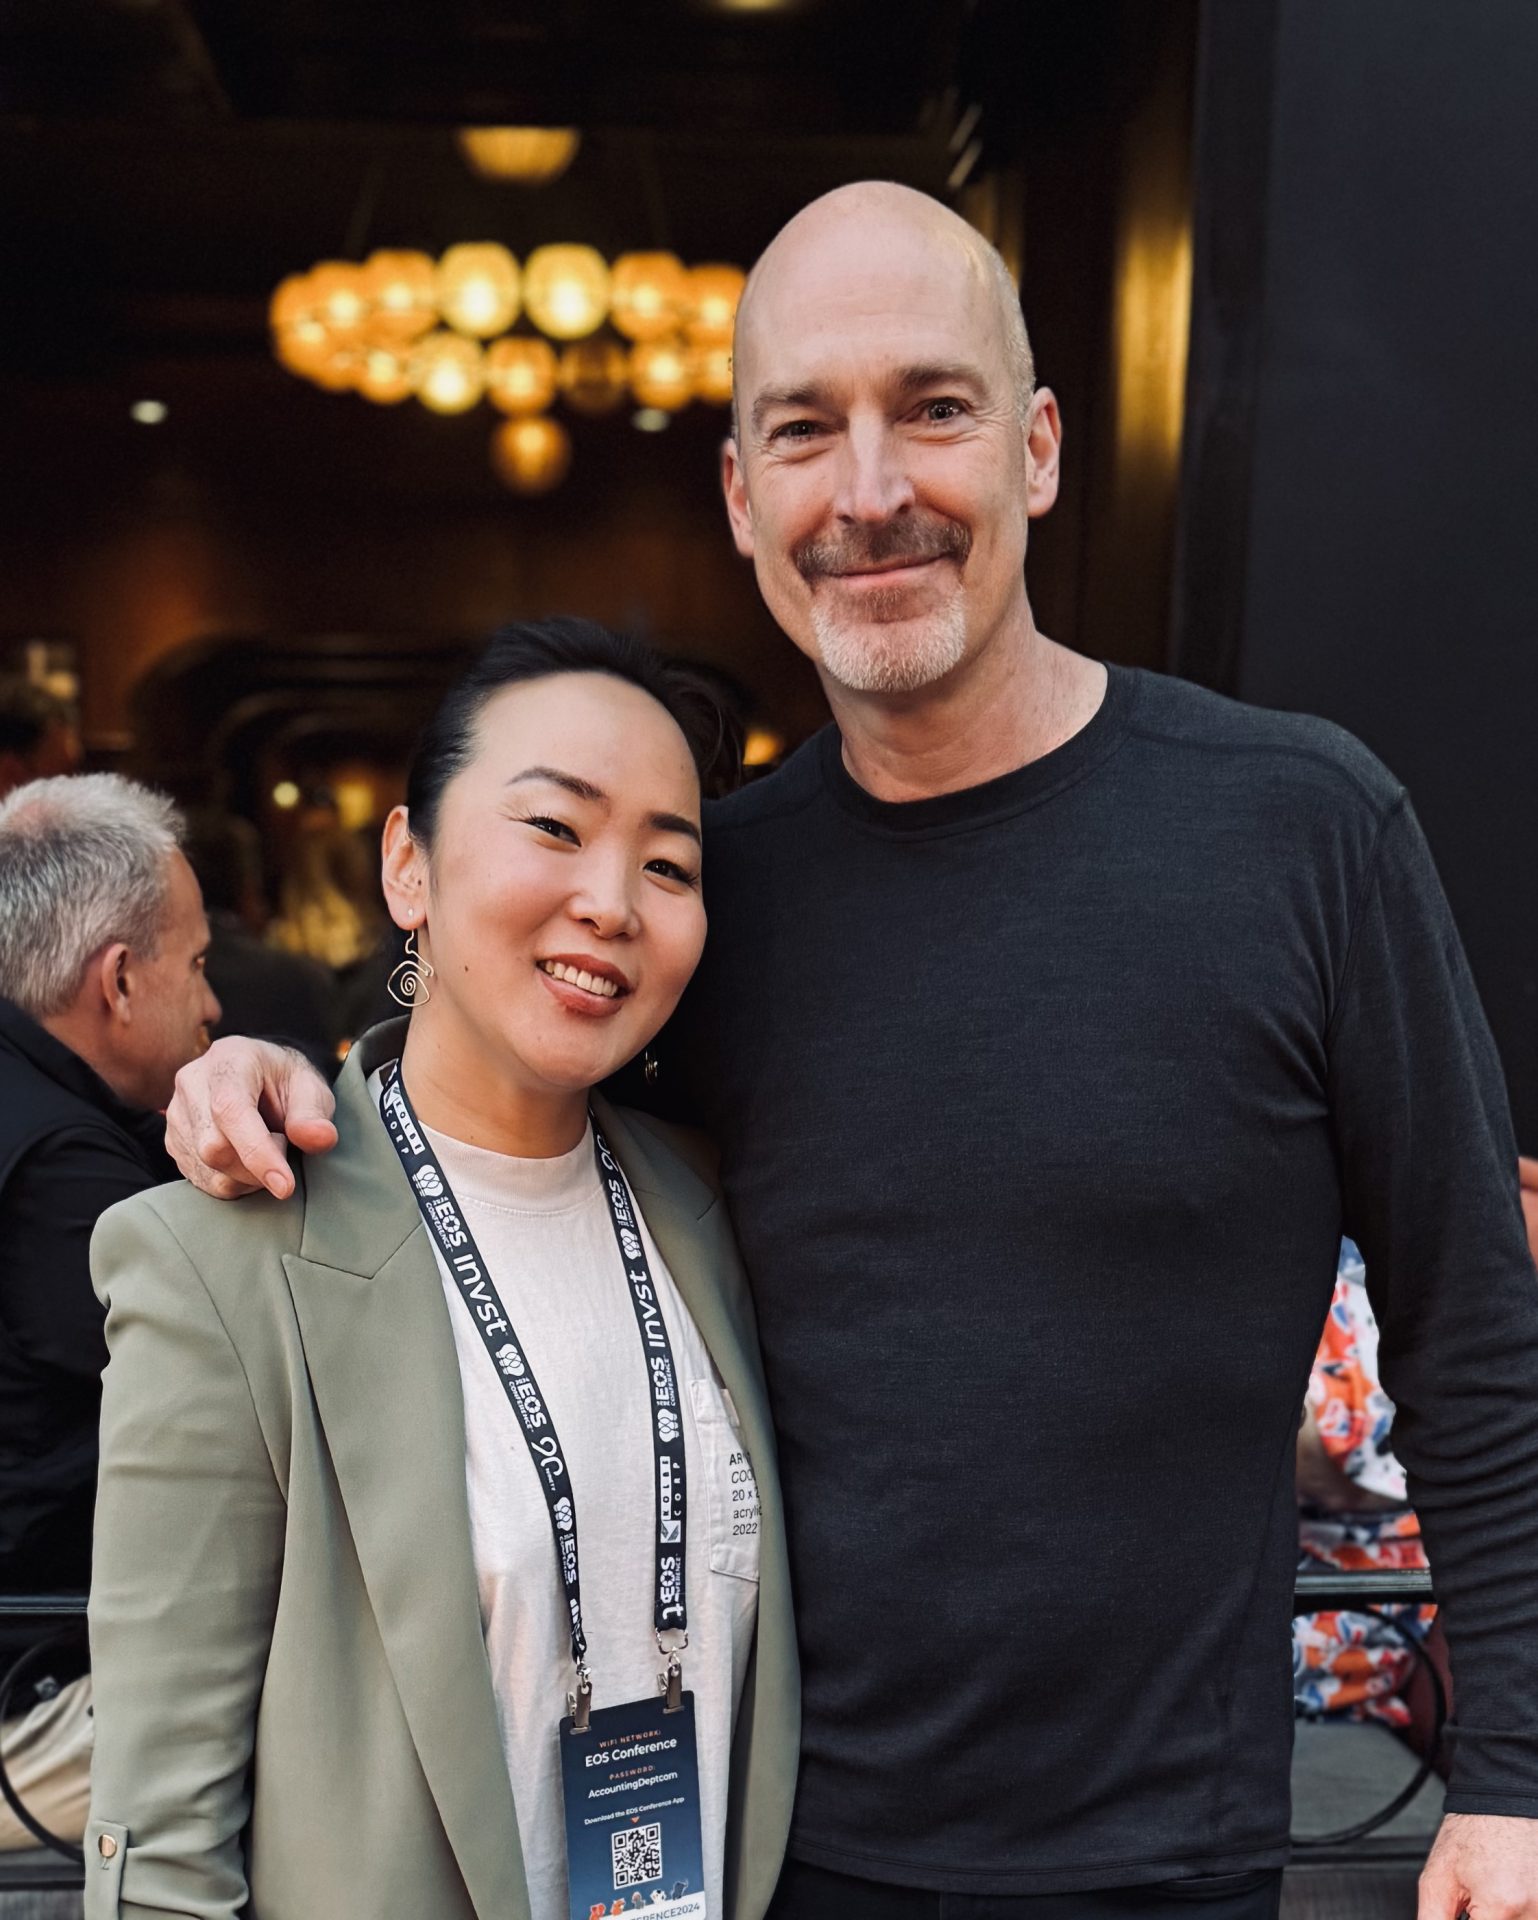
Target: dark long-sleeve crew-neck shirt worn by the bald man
x: 1042, y: 1113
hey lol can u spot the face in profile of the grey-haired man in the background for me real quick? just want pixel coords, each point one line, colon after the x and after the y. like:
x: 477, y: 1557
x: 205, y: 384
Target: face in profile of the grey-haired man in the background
x: 170, y: 1001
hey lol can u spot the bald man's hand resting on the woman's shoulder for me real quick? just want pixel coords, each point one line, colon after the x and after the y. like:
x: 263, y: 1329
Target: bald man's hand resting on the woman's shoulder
x: 233, y: 1107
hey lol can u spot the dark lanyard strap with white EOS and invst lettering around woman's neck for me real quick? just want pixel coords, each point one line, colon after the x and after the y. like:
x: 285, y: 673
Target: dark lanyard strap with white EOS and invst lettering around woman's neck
x: 473, y: 1284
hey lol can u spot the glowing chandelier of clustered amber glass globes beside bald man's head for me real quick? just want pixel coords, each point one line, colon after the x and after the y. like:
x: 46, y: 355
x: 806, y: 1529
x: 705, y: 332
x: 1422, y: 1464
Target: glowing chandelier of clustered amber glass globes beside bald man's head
x: 443, y: 331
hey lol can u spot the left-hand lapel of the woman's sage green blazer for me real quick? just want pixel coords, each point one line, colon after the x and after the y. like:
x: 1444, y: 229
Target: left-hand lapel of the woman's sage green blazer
x: 387, y: 1385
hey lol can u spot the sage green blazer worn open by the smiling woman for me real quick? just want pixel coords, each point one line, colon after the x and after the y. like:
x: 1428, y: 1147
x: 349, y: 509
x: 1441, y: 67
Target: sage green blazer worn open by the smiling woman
x: 295, y: 1712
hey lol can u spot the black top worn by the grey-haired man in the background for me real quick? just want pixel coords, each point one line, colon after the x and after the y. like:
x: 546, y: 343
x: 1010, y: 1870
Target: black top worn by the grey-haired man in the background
x: 70, y: 1149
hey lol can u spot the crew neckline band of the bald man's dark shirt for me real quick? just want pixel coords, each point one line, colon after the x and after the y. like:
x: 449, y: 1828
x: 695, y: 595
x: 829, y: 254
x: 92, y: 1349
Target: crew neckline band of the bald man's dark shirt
x: 996, y: 800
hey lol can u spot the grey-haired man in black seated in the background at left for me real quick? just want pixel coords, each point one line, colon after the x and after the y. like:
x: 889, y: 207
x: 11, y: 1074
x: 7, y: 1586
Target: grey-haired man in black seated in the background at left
x: 103, y: 944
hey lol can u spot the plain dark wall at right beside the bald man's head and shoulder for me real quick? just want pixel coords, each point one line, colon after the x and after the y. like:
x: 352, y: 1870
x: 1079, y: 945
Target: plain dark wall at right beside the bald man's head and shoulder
x: 1362, y: 452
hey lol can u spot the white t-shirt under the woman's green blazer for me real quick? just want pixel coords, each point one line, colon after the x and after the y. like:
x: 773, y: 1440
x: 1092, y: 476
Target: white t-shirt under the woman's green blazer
x: 548, y: 1241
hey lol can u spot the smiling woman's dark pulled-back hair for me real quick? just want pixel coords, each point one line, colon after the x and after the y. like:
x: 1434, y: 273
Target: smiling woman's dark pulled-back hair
x: 535, y: 650
